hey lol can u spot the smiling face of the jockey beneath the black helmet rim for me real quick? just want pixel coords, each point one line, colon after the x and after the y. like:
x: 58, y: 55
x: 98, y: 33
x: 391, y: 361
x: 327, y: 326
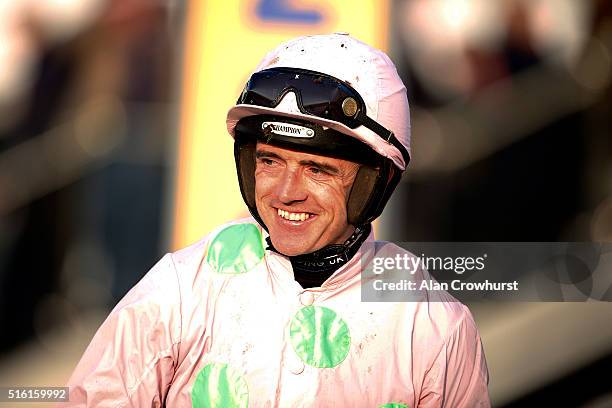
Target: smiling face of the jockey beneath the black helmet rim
x: 302, y: 198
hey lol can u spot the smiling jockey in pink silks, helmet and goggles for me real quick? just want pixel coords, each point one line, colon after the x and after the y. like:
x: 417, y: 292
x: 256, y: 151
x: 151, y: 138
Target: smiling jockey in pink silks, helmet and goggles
x: 267, y: 311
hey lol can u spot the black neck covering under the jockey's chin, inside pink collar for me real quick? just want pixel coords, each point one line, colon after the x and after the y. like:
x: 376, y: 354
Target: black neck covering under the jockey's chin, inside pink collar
x: 311, y: 270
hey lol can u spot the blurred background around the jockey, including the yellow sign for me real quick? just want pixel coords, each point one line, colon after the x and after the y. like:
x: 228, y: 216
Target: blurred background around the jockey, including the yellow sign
x: 112, y: 139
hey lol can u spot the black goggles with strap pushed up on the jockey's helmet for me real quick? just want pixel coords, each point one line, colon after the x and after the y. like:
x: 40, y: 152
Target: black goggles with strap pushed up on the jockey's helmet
x: 317, y: 94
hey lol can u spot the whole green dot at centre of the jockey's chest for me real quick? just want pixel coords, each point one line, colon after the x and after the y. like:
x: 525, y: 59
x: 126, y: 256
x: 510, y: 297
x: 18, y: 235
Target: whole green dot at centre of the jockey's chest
x: 319, y: 336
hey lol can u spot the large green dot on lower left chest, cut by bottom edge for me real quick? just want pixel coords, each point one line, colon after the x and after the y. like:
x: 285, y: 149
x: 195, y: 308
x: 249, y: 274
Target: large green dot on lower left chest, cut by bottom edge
x: 219, y: 386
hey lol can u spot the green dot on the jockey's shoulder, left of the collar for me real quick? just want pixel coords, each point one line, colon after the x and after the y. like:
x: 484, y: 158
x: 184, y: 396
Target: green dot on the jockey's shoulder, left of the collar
x: 236, y: 249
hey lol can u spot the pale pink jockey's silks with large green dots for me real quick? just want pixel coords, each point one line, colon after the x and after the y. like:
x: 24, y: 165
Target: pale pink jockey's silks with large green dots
x: 224, y: 324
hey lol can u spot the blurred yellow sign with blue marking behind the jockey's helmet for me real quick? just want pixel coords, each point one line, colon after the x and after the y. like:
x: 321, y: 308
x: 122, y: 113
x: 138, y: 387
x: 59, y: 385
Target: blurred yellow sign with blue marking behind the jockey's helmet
x: 225, y: 40
